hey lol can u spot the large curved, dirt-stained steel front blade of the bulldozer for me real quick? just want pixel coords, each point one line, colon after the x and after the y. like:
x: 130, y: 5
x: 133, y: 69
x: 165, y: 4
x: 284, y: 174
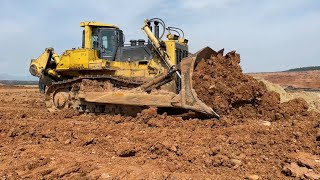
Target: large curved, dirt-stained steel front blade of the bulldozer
x: 187, y: 97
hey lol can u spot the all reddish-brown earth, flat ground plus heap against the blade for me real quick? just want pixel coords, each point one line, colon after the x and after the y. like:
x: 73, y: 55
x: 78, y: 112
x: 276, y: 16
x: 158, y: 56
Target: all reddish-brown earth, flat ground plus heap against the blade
x: 257, y: 137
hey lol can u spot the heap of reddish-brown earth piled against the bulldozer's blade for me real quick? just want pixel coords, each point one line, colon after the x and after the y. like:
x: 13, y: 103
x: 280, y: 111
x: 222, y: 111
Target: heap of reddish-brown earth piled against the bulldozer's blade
x: 220, y: 83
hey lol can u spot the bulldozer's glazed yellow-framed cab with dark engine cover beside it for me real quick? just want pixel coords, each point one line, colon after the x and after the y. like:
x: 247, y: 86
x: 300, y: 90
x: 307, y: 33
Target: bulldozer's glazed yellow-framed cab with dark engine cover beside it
x: 108, y: 40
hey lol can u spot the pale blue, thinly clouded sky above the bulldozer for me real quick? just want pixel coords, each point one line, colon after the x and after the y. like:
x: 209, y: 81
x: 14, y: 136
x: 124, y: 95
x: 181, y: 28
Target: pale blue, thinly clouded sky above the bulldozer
x: 270, y: 35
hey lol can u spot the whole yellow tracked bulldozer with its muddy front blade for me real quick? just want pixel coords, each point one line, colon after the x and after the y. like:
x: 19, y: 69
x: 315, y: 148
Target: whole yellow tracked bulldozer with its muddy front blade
x: 107, y: 76
